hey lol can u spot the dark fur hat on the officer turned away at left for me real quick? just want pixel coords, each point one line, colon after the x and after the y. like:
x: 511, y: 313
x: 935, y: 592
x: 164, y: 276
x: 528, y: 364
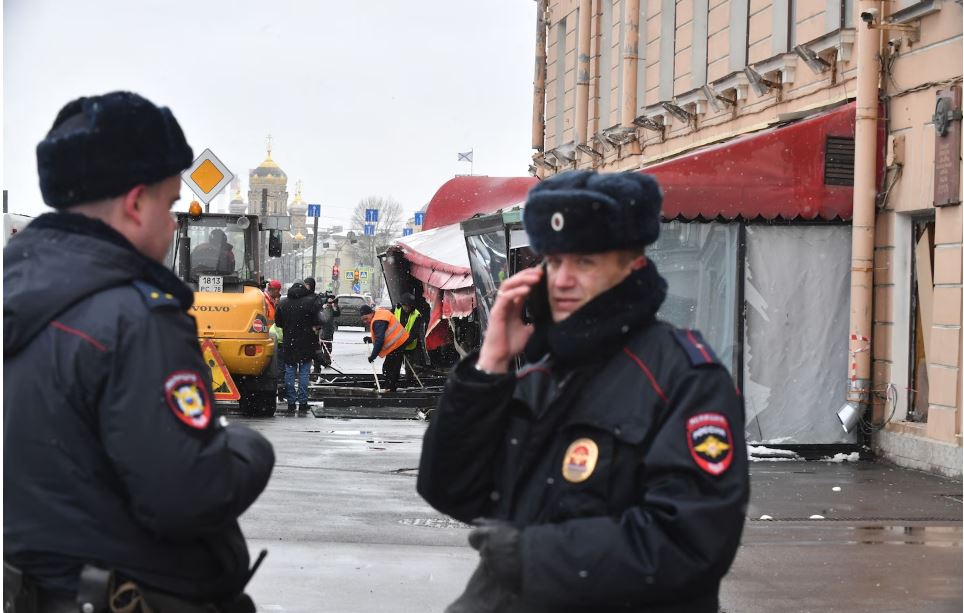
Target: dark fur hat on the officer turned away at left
x: 100, y: 147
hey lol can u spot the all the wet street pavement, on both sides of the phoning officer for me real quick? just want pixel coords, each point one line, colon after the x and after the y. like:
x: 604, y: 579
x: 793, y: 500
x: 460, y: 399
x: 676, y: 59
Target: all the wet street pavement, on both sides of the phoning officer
x: 347, y: 532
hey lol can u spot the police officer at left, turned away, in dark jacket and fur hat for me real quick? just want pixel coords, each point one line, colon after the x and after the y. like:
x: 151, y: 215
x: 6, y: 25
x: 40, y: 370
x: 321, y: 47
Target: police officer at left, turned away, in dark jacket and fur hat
x: 116, y: 461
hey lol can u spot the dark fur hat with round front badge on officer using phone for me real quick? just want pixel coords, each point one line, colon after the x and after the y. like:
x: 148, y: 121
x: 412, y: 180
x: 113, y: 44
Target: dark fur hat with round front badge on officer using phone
x: 583, y: 211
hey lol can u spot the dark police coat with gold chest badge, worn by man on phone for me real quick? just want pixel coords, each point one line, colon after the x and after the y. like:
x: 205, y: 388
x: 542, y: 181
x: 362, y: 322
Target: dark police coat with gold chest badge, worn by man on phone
x: 620, y: 454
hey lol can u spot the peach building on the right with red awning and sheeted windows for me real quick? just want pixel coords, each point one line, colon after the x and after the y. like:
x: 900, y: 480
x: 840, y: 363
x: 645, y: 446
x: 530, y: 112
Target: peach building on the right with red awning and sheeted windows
x: 812, y: 195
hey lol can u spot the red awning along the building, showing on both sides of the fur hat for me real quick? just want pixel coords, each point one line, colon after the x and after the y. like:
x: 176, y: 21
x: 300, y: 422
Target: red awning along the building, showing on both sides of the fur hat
x: 776, y: 173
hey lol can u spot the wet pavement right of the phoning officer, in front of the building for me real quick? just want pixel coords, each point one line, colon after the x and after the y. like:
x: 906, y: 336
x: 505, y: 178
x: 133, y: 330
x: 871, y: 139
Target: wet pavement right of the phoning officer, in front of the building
x: 889, y: 540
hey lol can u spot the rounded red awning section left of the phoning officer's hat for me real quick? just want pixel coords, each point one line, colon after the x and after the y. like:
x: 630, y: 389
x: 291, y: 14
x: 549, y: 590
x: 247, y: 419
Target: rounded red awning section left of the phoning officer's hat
x: 462, y: 197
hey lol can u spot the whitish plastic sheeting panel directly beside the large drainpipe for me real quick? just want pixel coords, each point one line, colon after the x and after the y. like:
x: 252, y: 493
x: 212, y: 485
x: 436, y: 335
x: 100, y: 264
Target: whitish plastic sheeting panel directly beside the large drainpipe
x: 797, y: 292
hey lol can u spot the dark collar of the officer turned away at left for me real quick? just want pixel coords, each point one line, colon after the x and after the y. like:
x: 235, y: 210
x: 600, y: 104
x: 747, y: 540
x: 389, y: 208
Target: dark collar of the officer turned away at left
x: 143, y: 267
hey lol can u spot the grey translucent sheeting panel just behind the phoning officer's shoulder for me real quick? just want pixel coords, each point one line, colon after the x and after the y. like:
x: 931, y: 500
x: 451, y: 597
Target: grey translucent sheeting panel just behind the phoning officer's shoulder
x: 699, y: 261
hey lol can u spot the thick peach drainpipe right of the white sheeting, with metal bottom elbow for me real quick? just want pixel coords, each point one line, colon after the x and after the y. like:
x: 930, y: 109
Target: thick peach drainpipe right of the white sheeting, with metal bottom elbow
x: 862, y: 245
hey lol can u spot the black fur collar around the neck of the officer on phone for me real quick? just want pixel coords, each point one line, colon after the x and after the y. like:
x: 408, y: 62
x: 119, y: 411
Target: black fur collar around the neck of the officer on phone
x: 604, y: 324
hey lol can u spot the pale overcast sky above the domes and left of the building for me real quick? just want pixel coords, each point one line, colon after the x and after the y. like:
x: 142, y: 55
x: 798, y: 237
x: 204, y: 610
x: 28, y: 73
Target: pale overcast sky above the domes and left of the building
x: 370, y: 98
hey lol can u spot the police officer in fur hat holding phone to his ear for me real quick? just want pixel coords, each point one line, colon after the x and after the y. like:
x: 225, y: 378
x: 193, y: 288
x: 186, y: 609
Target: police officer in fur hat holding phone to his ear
x: 609, y: 473
